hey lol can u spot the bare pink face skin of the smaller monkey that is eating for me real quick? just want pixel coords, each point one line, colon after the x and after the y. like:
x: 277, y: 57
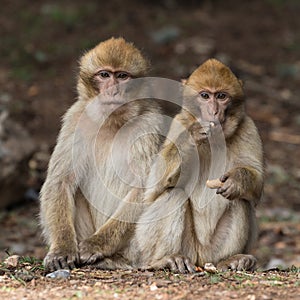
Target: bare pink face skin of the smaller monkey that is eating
x: 213, y: 105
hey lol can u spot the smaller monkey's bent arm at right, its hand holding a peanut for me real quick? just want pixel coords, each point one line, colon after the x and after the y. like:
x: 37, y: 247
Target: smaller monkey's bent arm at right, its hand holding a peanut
x: 244, y: 180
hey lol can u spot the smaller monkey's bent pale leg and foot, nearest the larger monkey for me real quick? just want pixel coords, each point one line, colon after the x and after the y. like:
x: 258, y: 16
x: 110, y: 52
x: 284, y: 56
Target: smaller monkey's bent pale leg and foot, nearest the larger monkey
x: 159, y: 233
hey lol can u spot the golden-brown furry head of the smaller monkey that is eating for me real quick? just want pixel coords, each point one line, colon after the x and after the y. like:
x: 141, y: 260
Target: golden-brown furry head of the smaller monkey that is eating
x: 219, y: 96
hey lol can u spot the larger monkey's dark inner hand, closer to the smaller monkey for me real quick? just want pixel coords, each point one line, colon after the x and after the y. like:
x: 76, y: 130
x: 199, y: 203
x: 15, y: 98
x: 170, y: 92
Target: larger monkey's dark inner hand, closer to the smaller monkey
x: 90, y: 252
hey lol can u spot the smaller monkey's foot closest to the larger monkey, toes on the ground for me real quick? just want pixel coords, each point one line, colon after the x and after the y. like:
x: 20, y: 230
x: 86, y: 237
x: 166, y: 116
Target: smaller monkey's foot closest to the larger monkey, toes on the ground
x: 176, y: 263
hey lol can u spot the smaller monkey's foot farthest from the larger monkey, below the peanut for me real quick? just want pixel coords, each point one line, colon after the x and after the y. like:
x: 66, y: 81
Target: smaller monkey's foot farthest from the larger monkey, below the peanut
x: 238, y: 262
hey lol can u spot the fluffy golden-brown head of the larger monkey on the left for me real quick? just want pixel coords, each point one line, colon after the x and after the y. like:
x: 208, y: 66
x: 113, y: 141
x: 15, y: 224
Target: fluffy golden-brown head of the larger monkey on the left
x: 105, y: 68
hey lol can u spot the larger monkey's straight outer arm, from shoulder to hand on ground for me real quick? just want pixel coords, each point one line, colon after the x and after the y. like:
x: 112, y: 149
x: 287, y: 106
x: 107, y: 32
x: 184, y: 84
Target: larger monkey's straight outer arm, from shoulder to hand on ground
x: 57, y: 203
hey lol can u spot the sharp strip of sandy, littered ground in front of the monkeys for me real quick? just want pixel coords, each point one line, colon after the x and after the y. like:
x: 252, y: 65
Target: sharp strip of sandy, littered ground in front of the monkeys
x: 91, y: 284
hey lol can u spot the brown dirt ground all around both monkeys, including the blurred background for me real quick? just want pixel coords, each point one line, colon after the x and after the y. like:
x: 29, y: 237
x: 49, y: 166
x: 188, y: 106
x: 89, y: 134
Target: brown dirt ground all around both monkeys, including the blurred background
x: 39, y: 49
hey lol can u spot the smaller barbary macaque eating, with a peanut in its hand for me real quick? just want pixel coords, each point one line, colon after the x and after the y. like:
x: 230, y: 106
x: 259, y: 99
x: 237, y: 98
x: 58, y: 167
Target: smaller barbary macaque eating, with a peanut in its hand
x: 212, y: 220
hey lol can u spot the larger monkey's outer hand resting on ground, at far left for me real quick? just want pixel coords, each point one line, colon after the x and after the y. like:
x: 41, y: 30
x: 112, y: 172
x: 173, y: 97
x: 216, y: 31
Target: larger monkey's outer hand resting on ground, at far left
x: 56, y: 260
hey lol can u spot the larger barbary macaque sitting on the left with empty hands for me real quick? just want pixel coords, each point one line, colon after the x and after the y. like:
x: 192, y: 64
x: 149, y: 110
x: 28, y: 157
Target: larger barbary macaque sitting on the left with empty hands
x: 103, y: 153
